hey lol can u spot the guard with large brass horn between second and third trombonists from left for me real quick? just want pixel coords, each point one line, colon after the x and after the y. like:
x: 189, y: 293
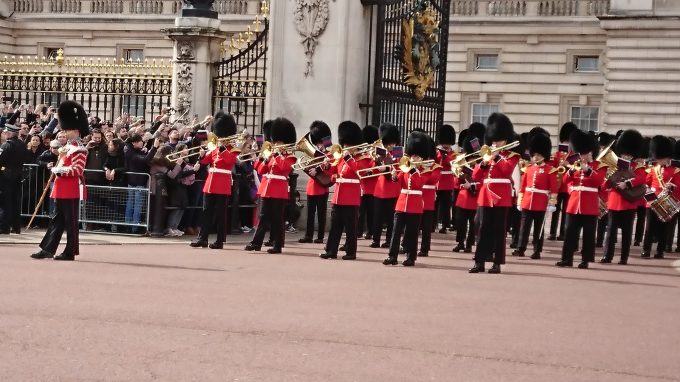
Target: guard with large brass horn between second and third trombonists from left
x: 317, y: 194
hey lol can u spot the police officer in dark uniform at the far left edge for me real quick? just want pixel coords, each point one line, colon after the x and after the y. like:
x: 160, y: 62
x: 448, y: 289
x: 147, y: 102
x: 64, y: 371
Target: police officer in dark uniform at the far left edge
x: 13, y: 154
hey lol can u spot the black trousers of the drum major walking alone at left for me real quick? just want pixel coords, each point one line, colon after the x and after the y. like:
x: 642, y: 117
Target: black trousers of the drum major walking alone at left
x: 65, y: 218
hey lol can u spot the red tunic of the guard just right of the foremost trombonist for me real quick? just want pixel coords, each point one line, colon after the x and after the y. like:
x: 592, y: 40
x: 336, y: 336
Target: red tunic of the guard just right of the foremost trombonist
x: 537, y: 185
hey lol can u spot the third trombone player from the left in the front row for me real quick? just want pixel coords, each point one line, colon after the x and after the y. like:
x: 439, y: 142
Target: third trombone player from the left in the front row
x: 347, y: 195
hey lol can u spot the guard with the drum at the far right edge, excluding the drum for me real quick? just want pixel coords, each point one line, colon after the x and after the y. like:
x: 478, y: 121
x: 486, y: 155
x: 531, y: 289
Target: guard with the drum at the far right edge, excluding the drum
x: 663, y: 176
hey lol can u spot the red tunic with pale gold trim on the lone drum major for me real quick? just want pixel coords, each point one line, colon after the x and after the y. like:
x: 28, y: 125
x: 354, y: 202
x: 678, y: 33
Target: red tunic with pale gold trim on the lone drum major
x: 67, y: 184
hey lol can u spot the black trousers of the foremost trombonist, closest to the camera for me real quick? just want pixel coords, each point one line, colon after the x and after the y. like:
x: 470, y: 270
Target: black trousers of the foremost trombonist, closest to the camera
x: 491, y: 237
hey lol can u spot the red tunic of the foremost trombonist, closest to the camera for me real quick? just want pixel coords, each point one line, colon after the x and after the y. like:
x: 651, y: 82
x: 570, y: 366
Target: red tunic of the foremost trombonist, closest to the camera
x: 496, y: 180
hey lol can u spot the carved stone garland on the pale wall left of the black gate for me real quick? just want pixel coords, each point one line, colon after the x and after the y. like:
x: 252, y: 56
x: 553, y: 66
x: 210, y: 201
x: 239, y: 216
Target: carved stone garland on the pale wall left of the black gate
x: 311, y: 19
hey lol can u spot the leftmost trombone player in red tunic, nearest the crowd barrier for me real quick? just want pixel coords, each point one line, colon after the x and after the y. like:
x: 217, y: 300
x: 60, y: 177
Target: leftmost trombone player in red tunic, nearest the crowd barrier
x: 217, y: 187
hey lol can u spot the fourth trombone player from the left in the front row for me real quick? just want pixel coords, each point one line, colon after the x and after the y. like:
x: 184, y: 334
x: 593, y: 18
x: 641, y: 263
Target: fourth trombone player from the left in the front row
x: 409, y: 208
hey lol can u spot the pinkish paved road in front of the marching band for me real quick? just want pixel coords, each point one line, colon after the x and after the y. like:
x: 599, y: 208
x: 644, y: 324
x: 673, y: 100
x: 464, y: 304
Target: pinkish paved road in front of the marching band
x: 162, y: 311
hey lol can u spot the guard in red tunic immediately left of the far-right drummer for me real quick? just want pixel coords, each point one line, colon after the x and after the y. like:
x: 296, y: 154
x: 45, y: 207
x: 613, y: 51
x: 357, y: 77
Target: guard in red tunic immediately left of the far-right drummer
x: 622, y: 210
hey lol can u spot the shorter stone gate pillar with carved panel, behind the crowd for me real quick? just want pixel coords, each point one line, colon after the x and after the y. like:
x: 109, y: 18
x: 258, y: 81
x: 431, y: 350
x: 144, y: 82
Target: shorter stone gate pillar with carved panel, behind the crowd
x: 197, y: 43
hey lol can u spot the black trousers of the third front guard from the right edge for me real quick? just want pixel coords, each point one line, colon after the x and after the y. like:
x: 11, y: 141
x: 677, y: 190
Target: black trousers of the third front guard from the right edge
x: 574, y: 224
